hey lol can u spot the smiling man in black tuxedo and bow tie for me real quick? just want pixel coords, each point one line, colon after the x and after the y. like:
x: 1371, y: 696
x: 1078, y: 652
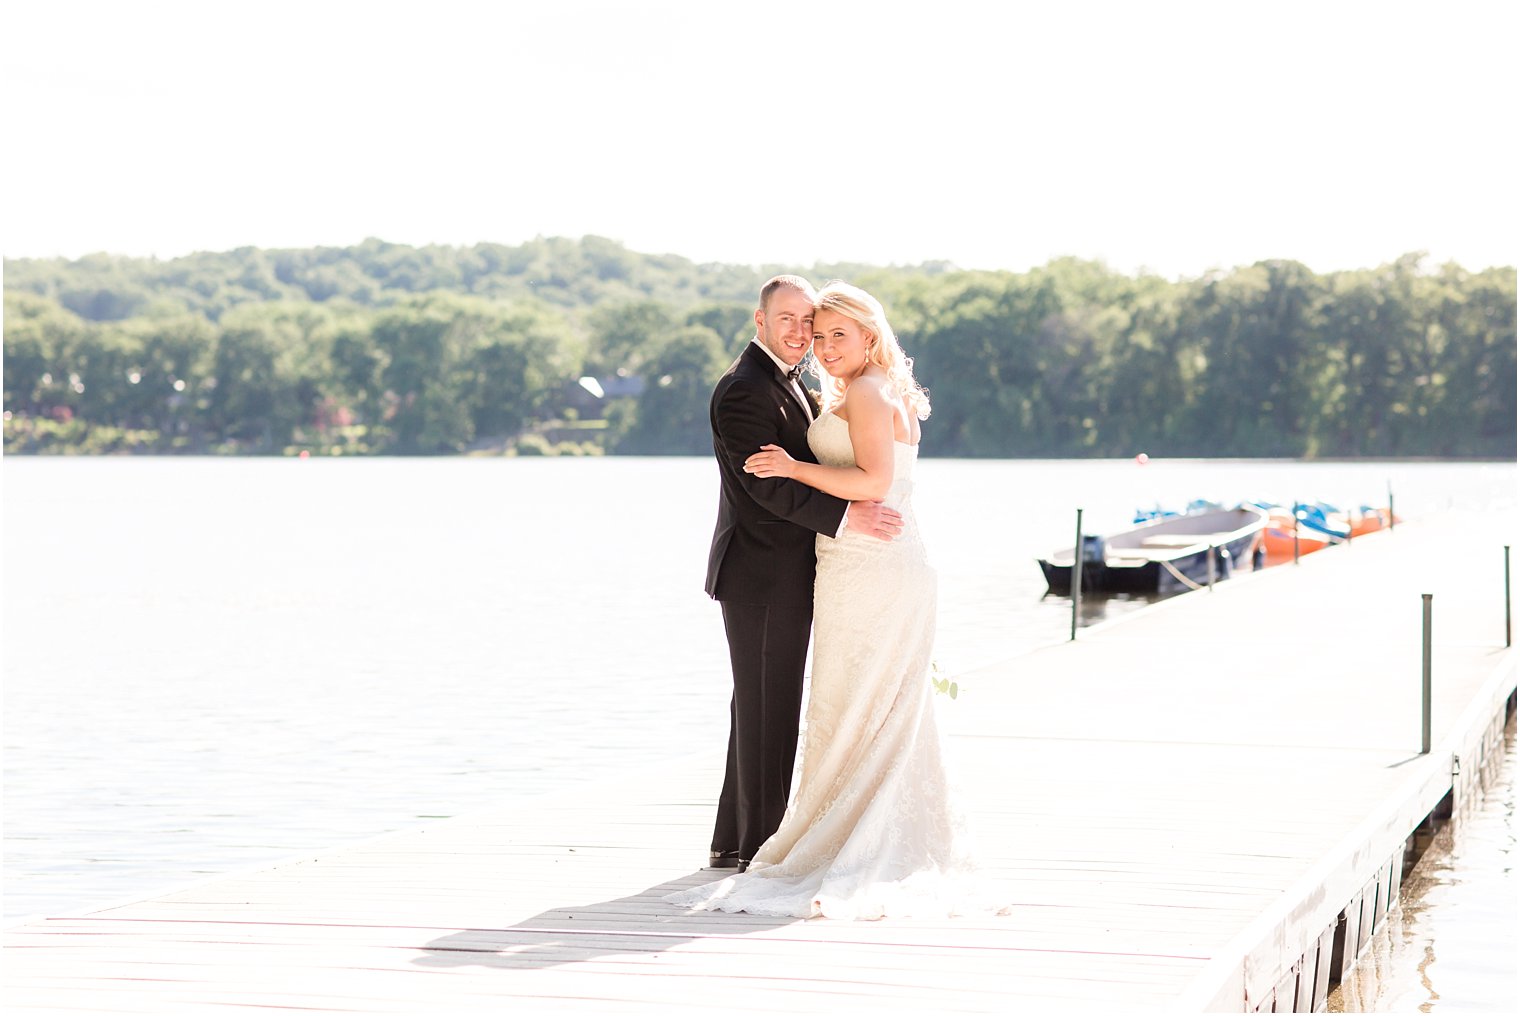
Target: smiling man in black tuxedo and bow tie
x: 761, y: 568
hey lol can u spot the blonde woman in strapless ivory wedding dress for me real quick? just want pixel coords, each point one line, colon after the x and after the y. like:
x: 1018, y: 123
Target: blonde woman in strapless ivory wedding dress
x: 873, y: 831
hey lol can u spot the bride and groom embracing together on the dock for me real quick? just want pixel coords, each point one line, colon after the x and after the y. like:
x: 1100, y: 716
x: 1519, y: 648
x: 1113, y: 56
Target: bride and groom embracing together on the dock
x: 817, y: 532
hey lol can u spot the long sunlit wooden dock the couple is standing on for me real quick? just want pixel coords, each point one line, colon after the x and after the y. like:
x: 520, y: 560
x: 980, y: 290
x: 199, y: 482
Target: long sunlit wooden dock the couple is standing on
x: 1203, y: 807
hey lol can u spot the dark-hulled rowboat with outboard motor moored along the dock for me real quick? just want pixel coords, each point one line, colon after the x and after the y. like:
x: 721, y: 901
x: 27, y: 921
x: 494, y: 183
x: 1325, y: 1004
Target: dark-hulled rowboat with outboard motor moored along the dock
x: 1167, y: 554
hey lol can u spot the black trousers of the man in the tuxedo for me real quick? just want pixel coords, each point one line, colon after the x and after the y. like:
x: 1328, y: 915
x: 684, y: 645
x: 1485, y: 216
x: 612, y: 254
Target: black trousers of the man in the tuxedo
x: 768, y: 650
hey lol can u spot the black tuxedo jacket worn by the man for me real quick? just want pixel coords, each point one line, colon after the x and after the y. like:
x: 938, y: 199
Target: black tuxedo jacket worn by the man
x: 764, y: 542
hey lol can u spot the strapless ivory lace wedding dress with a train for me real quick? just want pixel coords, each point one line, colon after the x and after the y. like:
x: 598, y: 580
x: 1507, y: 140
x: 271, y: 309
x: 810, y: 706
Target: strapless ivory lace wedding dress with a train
x: 873, y: 830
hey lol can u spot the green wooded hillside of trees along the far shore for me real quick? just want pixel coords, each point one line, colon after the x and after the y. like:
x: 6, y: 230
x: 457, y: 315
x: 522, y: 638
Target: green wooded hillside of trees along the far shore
x: 587, y: 348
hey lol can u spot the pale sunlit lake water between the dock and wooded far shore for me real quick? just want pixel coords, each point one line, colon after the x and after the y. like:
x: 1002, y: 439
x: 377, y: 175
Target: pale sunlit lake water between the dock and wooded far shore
x: 218, y: 664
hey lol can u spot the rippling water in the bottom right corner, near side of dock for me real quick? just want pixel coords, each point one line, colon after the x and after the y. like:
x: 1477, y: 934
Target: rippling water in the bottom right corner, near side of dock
x: 1451, y: 945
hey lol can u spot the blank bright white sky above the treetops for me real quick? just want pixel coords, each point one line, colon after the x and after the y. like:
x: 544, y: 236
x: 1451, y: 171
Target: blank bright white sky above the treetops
x: 1167, y: 136
